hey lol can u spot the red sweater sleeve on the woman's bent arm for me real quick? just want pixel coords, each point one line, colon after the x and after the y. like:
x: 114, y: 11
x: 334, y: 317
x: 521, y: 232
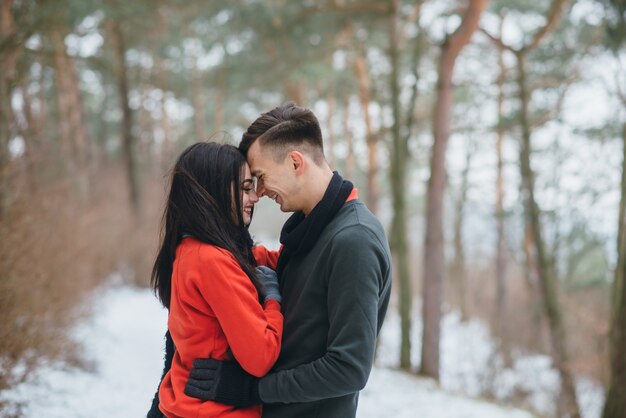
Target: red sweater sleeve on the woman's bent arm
x: 253, y: 331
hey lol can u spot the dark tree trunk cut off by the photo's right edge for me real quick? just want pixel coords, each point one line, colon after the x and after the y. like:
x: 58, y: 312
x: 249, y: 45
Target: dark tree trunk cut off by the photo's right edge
x: 615, y: 404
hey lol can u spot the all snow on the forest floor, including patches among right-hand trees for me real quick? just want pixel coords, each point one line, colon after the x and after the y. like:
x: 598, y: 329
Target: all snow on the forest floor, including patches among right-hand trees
x: 123, y: 342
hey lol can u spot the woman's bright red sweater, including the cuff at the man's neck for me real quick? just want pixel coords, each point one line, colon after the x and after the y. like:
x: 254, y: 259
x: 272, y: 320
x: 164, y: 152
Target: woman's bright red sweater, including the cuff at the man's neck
x: 214, y: 306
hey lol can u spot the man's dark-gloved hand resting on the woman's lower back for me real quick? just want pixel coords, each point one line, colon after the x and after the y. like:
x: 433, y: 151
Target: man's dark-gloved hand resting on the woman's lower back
x: 224, y: 382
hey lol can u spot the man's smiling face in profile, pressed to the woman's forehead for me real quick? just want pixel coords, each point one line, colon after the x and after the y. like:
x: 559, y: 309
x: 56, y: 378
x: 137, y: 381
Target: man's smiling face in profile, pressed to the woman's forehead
x: 275, y: 180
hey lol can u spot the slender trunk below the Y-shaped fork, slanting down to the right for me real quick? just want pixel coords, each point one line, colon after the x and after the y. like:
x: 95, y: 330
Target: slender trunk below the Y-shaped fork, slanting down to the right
x: 545, y: 269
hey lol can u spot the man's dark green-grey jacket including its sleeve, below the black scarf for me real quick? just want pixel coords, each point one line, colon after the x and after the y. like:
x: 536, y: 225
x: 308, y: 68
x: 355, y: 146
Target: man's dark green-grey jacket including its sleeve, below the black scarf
x: 334, y: 302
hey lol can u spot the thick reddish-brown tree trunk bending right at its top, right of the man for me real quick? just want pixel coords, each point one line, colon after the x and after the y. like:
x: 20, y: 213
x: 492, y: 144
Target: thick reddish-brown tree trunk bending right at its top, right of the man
x: 433, y: 247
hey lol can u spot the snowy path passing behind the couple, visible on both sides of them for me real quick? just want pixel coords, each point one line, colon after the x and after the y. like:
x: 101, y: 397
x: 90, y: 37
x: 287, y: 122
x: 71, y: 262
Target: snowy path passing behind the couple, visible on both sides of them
x: 123, y: 339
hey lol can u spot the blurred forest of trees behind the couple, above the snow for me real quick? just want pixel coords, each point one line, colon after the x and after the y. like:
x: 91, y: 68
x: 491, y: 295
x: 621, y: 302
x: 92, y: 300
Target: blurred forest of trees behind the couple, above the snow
x: 489, y: 137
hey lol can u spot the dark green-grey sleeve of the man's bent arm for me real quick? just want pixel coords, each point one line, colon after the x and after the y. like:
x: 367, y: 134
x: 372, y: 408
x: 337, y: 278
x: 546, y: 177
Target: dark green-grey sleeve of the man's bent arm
x: 358, y: 264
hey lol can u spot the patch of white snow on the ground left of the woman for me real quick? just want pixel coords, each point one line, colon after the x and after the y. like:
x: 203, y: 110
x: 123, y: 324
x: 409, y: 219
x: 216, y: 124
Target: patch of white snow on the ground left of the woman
x: 123, y: 340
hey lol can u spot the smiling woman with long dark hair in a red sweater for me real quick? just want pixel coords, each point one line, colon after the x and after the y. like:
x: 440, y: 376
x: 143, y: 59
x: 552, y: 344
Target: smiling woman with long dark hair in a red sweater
x: 219, y: 306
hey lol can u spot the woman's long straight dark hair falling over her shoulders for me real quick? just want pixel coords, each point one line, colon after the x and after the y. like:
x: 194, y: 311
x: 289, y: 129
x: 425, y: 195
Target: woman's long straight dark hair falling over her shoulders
x: 205, y: 183
